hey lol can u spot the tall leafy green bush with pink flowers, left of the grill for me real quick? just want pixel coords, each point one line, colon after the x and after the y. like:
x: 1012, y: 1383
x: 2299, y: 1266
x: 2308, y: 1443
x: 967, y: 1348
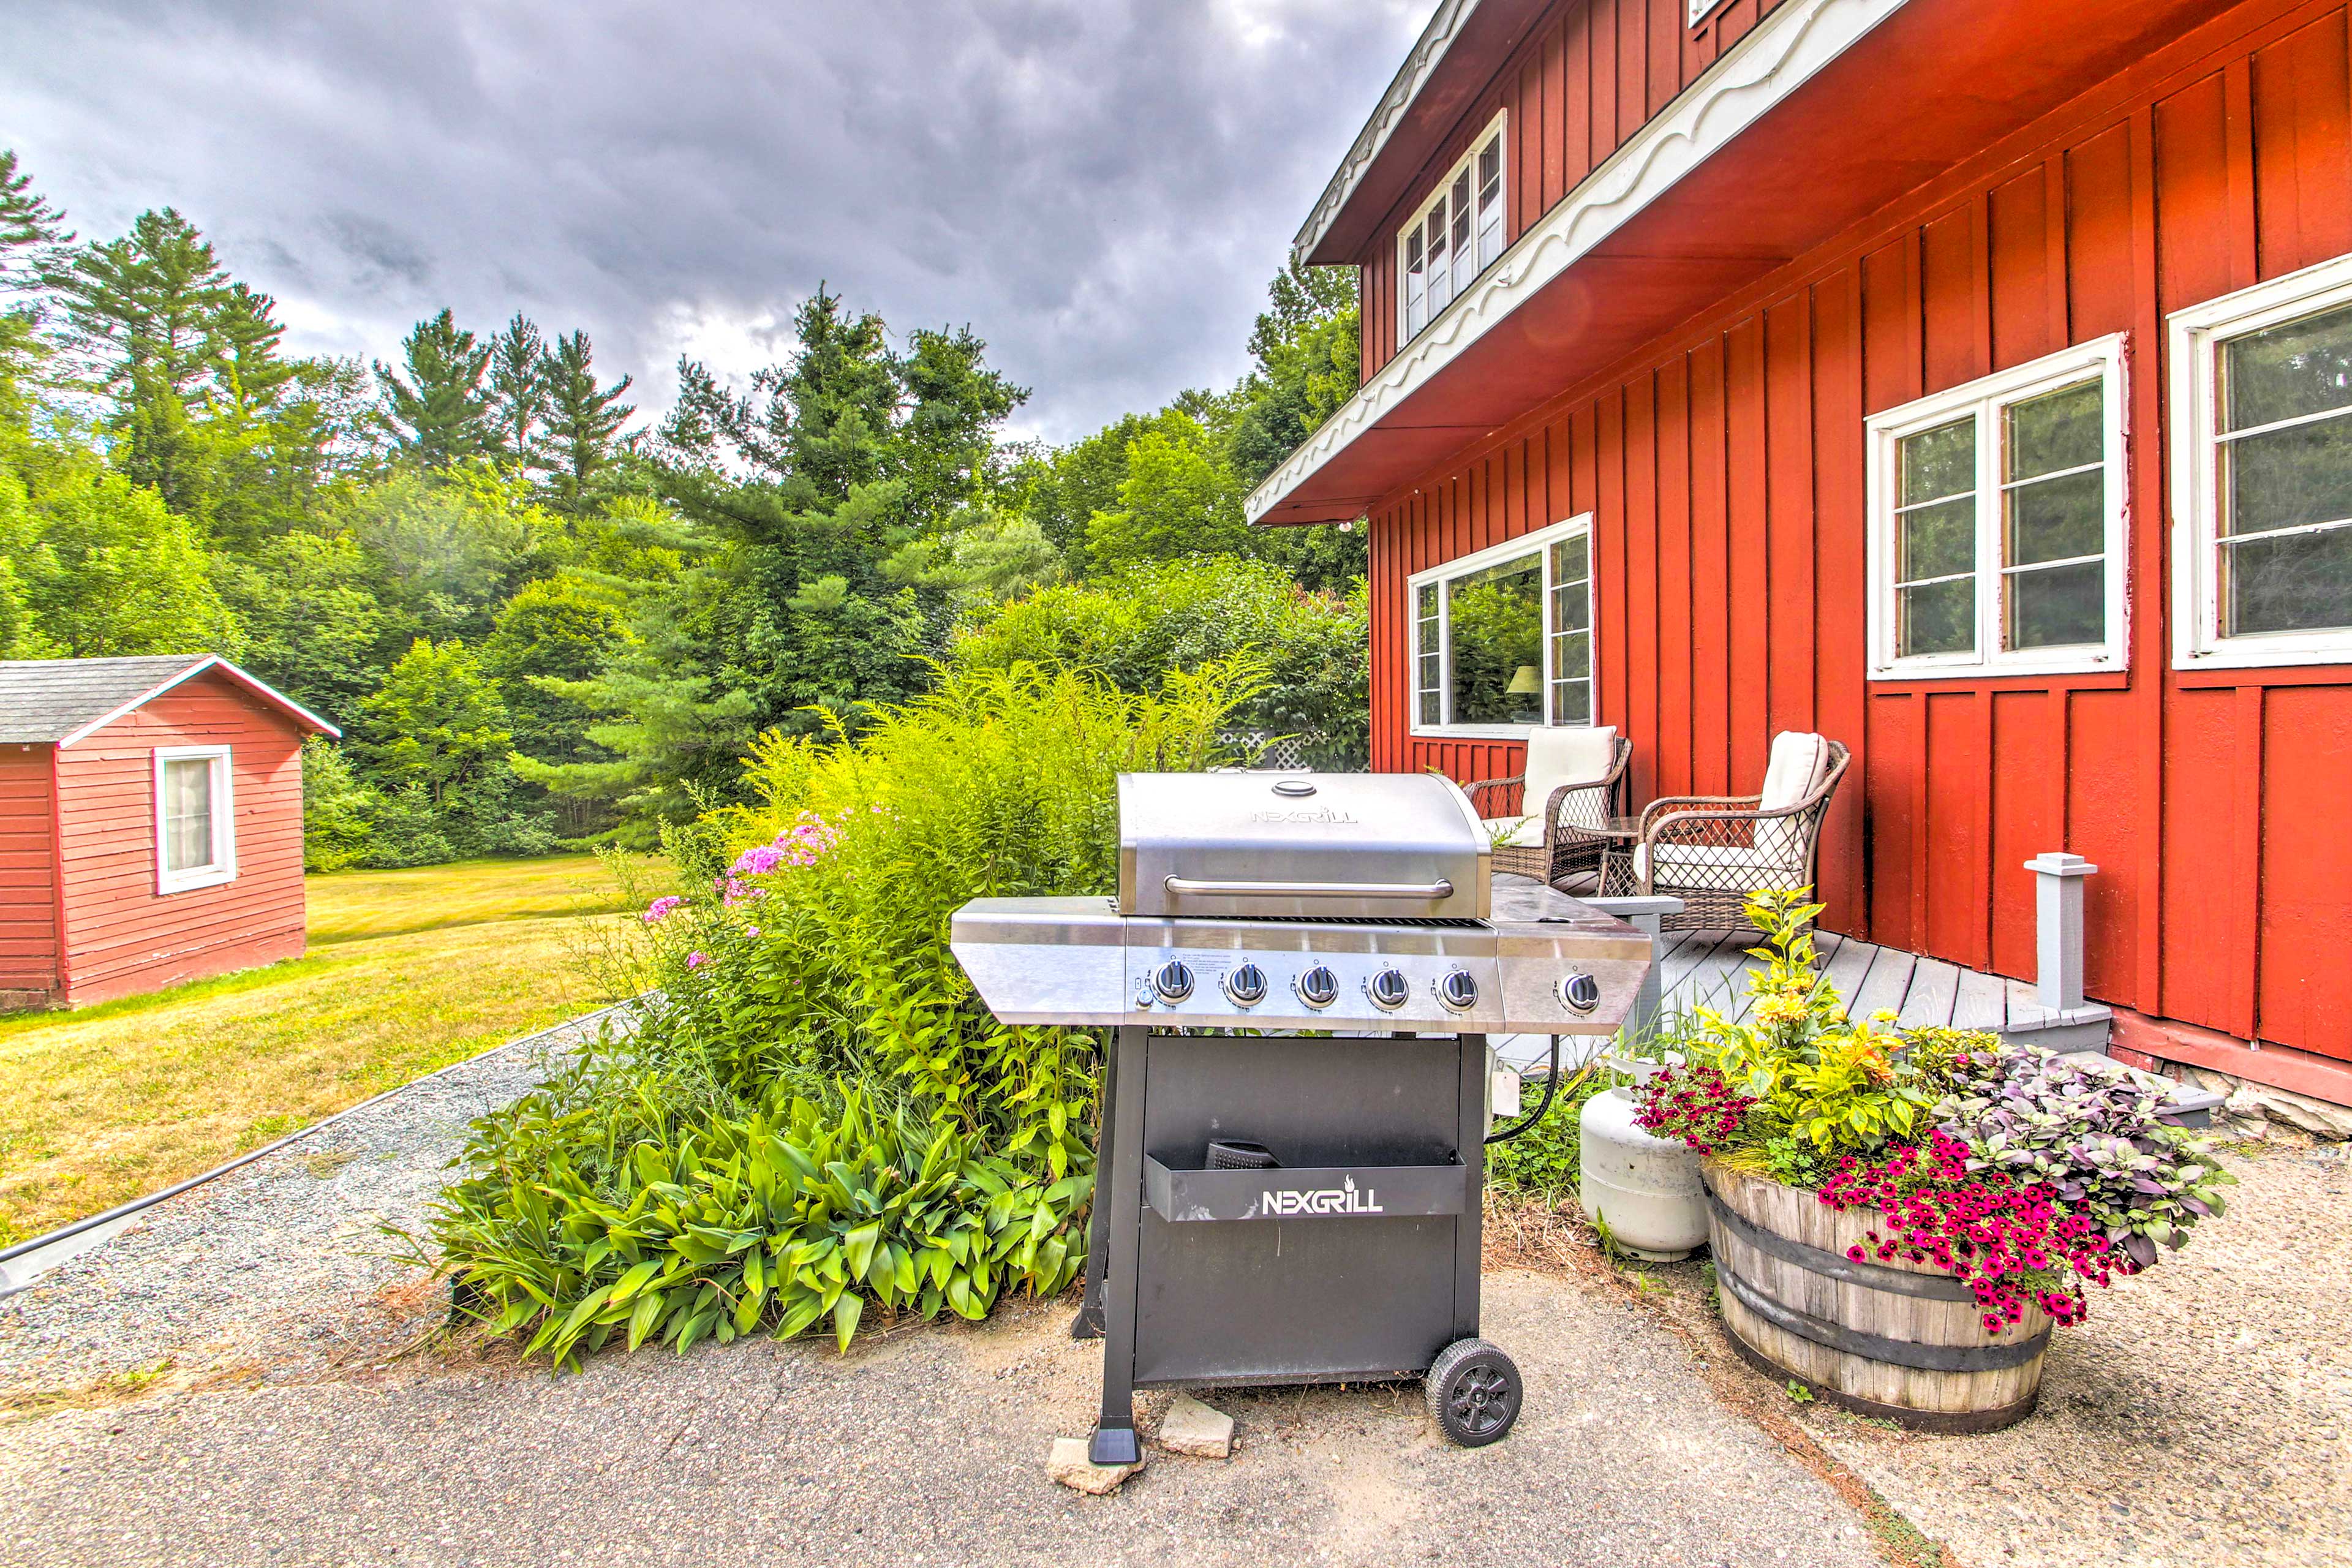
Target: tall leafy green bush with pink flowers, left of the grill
x: 817, y: 1120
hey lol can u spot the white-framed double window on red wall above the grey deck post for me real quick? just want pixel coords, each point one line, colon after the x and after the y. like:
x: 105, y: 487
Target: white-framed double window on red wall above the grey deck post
x: 1998, y: 523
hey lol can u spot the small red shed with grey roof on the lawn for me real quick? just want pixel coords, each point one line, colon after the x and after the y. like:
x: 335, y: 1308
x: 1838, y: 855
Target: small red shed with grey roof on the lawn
x: 149, y: 824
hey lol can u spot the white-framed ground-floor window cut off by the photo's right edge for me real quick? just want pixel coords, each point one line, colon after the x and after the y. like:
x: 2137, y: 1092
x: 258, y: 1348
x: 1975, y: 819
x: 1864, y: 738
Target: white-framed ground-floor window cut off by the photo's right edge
x: 2264, y: 474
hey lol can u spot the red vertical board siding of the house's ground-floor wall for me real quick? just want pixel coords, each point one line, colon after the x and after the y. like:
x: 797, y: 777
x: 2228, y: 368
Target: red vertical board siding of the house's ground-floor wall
x: 1725, y: 474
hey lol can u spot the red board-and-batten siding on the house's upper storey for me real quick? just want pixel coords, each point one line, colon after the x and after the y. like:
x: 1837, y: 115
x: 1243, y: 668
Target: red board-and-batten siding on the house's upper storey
x: 1579, y: 86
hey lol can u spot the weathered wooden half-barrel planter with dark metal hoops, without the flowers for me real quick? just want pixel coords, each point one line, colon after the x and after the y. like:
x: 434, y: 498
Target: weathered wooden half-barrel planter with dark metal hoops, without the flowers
x: 1902, y: 1341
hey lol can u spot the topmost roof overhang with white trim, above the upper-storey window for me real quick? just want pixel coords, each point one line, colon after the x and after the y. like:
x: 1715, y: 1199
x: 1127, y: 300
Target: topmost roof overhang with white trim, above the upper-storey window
x: 1452, y: 62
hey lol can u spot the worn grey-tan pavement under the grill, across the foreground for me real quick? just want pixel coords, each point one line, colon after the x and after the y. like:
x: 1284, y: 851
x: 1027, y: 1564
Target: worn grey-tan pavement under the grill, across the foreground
x: 923, y: 1449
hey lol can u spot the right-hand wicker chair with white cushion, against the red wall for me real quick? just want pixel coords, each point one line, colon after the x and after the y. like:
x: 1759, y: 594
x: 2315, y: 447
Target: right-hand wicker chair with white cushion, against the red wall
x: 1716, y: 850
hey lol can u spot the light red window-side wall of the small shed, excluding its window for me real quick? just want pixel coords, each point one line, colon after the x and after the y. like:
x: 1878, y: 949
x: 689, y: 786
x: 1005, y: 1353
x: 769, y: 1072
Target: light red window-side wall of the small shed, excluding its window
x: 119, y: 932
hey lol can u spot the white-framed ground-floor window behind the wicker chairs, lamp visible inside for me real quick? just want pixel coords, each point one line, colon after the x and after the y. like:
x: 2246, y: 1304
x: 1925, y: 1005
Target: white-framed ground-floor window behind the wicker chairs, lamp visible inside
x: 1504, y: 638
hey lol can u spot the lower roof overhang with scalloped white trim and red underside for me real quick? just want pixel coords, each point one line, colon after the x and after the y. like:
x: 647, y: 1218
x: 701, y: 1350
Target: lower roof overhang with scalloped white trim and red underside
x: 1817, y: 119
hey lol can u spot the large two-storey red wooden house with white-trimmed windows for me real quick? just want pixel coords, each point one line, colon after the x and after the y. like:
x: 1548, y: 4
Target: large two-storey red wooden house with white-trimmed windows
x: 1963, y: 380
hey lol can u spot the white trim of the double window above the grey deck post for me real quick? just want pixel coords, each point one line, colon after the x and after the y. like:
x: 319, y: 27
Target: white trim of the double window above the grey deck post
x: 2099, y: 359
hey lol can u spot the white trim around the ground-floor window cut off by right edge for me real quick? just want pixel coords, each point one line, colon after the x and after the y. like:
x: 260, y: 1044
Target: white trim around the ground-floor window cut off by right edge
x: 2196, y: 337
